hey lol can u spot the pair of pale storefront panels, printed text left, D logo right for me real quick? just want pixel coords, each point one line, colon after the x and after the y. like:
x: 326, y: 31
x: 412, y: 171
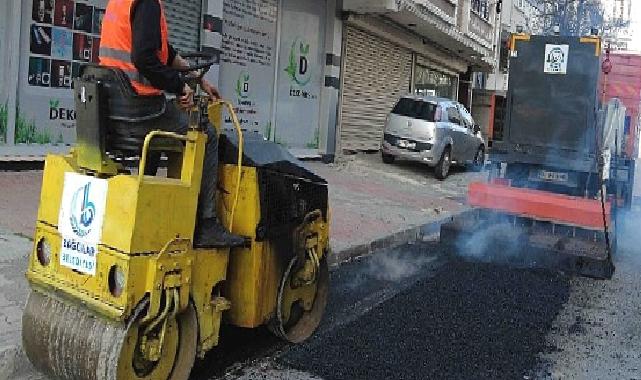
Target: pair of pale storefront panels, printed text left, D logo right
x: 254, y: 74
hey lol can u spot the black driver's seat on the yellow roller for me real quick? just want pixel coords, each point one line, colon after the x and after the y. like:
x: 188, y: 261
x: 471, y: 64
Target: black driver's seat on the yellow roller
x: 126, y: 117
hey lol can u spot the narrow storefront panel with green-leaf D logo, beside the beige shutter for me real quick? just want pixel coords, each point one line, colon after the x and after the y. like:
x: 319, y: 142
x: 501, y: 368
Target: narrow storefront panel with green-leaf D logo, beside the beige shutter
x: 300, y: 74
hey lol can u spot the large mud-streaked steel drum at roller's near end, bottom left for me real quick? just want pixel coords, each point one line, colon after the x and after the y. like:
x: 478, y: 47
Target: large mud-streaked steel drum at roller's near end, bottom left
x: 68, y: 342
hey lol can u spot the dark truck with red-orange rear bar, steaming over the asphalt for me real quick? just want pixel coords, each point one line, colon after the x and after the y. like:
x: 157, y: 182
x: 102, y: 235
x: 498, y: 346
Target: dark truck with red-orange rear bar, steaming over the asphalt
x: 558, y: 175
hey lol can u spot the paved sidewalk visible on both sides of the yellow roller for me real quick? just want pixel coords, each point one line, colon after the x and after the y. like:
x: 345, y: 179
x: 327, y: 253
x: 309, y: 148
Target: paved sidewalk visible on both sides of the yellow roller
x: 374, y: 206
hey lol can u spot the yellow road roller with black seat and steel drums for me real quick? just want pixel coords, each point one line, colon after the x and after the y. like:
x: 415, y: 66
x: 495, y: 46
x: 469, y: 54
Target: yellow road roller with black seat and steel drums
x: 118, y: 289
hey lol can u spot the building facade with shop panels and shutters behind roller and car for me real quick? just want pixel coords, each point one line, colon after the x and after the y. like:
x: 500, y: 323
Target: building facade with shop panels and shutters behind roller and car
x: 317, y: 76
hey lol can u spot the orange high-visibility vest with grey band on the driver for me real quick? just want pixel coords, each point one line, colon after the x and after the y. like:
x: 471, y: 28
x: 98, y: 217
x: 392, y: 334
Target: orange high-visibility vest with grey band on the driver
x: 116, y: 43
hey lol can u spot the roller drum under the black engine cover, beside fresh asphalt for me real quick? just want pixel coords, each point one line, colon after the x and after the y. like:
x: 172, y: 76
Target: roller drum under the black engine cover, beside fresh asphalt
x: 301, y: 301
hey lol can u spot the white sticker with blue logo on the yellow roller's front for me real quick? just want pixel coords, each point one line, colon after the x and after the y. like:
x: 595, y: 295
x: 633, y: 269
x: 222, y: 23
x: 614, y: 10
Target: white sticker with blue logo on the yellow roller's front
x: 82, y: 211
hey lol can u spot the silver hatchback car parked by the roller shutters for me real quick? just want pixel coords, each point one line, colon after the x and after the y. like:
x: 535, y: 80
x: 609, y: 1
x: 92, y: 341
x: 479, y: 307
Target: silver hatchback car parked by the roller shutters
x: 436, y: 131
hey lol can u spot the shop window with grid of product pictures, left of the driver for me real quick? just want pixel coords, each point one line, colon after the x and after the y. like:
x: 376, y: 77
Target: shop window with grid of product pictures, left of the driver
x: 58, y: 37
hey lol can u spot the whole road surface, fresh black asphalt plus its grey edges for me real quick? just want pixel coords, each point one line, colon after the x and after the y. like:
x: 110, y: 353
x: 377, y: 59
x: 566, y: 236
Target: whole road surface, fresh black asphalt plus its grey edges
x: 417, y: 313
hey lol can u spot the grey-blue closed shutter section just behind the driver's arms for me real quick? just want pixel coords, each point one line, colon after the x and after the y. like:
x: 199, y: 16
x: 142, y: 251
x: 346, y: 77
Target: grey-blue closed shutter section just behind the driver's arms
x: 184, y: 19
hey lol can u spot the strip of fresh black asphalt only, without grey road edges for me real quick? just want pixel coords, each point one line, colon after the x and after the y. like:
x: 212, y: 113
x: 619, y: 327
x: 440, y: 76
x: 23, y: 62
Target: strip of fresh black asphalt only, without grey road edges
x: 465, y: 321
